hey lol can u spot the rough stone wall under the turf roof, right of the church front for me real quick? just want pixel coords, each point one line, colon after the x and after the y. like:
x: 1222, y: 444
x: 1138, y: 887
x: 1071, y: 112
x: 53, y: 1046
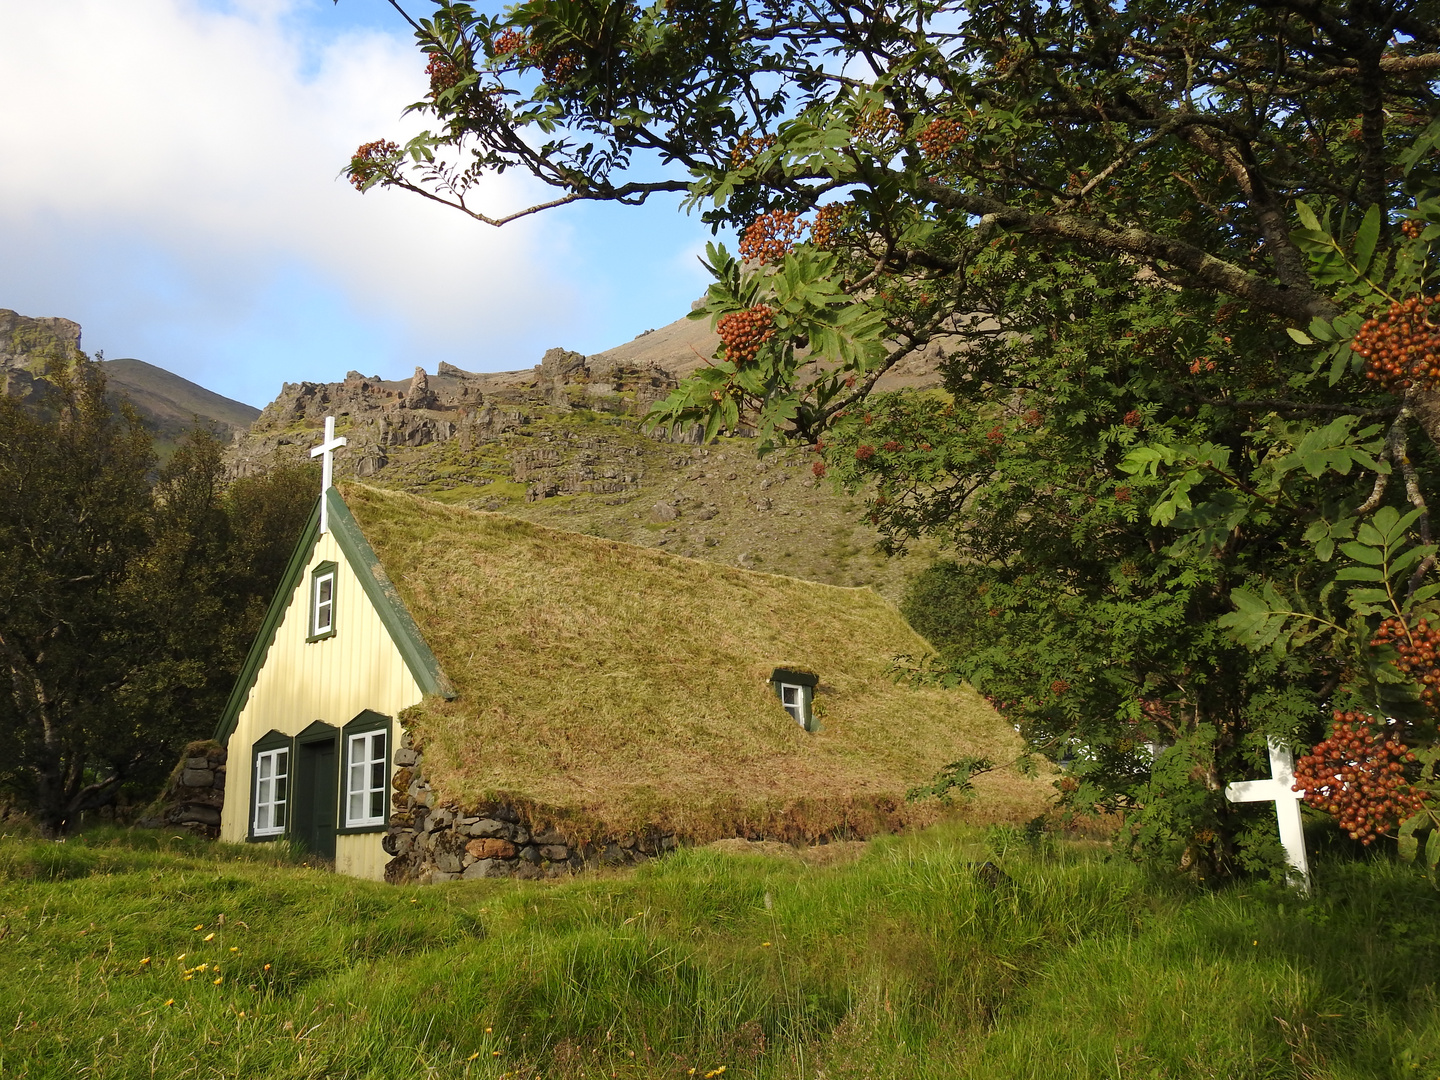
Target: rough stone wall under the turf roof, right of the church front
x: 441, y: 843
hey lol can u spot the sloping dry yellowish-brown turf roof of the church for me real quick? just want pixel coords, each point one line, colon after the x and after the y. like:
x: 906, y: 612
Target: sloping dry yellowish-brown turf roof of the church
x: 624, y: 688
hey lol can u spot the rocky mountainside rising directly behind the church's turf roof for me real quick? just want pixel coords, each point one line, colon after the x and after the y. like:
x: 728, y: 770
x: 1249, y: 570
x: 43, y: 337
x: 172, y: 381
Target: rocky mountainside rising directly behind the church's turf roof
x: 562, y: 444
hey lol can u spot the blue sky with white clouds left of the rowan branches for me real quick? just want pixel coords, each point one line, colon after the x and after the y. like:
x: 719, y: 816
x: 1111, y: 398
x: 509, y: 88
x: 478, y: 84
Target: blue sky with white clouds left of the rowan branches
x: 169, y: 179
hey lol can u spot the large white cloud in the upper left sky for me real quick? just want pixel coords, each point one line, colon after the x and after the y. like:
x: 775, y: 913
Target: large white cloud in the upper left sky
x: 202, y: 152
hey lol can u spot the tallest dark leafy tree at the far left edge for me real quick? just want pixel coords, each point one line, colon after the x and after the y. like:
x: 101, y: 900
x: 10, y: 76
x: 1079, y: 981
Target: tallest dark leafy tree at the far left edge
x: 74, y: 512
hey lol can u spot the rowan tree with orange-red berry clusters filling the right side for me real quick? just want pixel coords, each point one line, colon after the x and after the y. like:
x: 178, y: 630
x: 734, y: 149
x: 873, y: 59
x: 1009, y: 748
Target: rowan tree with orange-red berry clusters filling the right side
x: 1179, y: 257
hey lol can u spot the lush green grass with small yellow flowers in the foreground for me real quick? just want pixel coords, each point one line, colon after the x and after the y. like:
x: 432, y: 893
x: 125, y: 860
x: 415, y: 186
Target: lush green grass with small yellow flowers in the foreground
x: 148, y: 957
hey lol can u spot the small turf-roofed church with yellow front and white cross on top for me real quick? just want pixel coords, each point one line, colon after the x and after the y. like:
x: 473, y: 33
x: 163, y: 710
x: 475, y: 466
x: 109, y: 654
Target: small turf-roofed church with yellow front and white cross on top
x: 595, y: 683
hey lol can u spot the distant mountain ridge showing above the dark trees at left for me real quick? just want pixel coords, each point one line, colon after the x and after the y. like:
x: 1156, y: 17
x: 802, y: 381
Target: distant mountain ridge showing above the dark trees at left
x: 166, y: 402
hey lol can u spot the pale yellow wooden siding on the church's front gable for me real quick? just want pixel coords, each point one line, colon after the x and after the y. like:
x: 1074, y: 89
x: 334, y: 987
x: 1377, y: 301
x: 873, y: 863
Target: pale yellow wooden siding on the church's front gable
x: 330, y: 680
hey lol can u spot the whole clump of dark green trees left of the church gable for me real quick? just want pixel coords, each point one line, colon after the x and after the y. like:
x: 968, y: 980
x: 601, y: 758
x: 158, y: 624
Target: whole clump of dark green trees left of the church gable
x: 127, y: 597
